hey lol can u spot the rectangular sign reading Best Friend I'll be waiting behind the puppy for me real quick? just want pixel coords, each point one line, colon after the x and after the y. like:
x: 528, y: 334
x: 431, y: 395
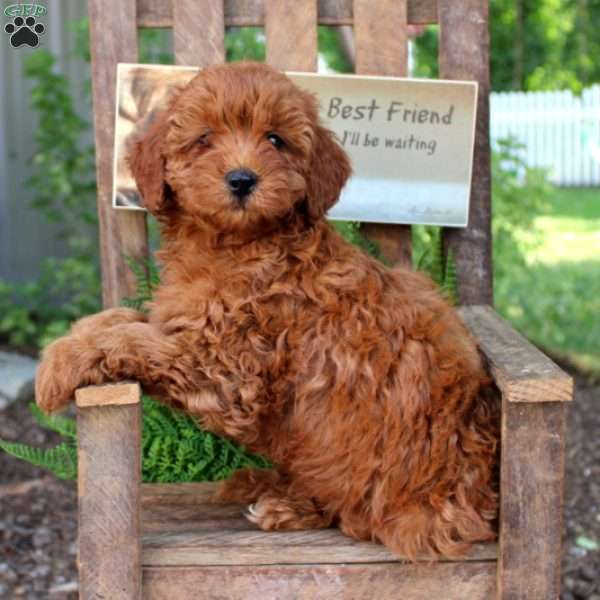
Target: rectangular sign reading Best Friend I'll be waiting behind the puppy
x: 410, y: 141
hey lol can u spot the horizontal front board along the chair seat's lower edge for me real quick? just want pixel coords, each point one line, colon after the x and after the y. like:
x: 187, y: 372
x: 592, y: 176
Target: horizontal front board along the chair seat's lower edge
x: 472, y: 581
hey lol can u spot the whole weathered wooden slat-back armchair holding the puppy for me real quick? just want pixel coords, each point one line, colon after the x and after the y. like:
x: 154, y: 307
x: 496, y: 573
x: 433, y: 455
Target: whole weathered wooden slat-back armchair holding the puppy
x: 168, y: 541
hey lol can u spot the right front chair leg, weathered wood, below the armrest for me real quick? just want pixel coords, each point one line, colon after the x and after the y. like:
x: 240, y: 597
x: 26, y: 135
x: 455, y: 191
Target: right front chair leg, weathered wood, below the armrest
x: 531, y: 504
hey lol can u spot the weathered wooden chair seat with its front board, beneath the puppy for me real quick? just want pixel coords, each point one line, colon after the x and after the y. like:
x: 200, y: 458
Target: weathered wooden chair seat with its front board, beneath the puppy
x: 192, y: 543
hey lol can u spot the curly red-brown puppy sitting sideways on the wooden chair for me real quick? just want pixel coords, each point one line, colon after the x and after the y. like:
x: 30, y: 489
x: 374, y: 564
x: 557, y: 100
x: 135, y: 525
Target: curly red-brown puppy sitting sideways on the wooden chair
x: 359, y: 382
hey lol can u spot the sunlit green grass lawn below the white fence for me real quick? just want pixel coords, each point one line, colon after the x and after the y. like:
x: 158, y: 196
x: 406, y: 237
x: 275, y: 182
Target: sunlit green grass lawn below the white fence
x: 555, y: 301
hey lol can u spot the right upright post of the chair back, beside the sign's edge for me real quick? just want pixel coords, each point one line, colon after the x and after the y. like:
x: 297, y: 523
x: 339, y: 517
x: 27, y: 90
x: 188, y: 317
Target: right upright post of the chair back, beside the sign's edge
x: 464, y: 54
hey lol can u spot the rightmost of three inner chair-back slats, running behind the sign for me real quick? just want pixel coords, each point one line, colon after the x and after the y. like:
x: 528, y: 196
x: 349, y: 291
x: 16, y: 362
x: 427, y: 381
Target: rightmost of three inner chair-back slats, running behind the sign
x: 381, y: 42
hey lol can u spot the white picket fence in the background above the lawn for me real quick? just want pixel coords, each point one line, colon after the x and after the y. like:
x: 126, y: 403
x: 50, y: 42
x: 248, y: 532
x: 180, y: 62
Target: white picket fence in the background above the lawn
x: 561, y: 131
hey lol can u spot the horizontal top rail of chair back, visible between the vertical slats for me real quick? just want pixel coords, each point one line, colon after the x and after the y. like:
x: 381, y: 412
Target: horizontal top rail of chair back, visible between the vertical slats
x: 242, y: 13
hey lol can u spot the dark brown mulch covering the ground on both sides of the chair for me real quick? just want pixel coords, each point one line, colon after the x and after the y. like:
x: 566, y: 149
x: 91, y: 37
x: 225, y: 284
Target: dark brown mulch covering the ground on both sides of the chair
x: 38, y: 520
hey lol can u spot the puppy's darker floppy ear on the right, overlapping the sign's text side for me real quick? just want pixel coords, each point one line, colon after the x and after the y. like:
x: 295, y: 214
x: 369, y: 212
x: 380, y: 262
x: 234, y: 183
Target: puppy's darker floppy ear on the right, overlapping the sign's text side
x: 329, y: 171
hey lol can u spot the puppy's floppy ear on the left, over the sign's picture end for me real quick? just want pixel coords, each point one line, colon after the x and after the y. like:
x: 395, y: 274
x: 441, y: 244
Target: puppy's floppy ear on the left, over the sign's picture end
x: 147, y: 162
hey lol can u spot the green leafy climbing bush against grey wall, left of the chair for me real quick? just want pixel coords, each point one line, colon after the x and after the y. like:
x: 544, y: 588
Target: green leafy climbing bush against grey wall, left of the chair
x: 63, y: 182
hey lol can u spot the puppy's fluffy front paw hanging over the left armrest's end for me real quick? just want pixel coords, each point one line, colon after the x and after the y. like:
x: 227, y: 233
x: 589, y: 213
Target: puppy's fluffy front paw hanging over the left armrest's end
x: 66, y: 365
